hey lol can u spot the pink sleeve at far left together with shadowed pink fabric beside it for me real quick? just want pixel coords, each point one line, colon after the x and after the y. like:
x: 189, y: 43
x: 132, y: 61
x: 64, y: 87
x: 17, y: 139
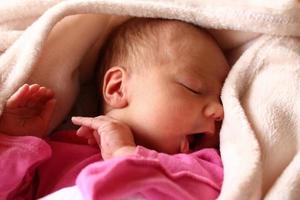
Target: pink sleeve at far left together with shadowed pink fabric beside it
x: 32, y: 167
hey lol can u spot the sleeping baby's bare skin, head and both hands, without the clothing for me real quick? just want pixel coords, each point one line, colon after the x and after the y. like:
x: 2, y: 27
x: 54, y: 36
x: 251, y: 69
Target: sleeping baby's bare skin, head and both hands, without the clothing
x: 160, y: 83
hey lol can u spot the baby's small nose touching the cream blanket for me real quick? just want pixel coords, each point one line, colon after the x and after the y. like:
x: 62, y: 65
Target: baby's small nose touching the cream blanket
x: 214, y: 110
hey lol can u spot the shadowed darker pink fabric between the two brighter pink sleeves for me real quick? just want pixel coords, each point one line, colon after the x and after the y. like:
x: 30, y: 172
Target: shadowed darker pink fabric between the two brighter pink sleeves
x: 69, y: 157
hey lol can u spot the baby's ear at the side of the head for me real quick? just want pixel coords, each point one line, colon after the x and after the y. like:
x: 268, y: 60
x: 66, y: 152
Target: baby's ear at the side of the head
x: 114, y: 87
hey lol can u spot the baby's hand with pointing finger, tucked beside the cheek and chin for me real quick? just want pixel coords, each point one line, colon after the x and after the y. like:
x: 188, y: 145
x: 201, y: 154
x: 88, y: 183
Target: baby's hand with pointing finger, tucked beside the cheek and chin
x: 113, y: 137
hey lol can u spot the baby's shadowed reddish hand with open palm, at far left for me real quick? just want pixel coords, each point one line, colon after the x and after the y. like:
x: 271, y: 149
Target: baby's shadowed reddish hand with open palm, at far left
x: 28, y: 111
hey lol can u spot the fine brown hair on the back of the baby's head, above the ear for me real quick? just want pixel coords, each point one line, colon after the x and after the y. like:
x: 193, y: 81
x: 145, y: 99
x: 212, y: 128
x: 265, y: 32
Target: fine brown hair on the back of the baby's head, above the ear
x: 130, y: 44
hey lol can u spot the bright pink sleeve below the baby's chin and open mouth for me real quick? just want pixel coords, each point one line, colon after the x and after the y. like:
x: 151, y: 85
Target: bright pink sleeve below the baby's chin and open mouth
x: 154, y: 176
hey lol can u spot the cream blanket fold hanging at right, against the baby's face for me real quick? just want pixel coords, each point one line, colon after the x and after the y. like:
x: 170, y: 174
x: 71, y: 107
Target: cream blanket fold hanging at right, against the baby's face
x: 261, y: 107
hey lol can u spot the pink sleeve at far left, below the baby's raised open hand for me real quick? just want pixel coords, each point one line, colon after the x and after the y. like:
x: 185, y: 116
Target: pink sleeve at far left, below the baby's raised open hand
x: 19, y: 157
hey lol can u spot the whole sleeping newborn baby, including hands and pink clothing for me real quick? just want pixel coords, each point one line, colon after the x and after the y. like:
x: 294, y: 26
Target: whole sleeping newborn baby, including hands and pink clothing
x: 160, y: 83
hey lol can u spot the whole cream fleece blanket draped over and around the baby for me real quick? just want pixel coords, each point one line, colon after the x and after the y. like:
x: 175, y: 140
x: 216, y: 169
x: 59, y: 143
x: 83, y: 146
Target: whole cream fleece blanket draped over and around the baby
x: 40, y: 41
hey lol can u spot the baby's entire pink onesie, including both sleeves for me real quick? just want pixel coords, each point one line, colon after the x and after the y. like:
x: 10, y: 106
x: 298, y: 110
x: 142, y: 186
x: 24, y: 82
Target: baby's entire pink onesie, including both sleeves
x: 32, y: 167
